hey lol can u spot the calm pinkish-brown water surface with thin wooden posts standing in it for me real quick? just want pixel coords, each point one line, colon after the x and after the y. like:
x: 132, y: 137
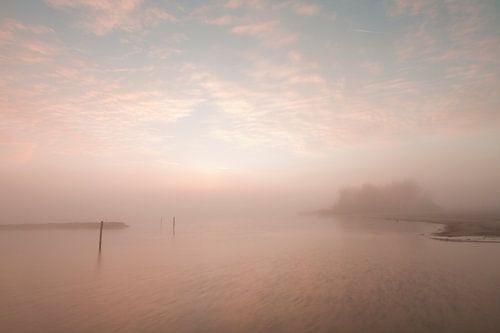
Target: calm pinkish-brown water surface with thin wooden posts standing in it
x: 248, y: 276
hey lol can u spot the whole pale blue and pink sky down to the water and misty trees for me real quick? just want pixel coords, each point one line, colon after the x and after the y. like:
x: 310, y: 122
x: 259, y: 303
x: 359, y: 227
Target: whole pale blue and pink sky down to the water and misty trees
x: 132, y: 109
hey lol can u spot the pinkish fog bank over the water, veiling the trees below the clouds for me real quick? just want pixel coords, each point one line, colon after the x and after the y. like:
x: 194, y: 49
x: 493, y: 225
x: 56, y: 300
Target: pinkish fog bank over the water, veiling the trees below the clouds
x: 71, y: 187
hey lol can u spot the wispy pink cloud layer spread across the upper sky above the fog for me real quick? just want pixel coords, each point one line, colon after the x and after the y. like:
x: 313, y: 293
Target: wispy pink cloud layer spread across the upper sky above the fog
x: 437, y: 72
